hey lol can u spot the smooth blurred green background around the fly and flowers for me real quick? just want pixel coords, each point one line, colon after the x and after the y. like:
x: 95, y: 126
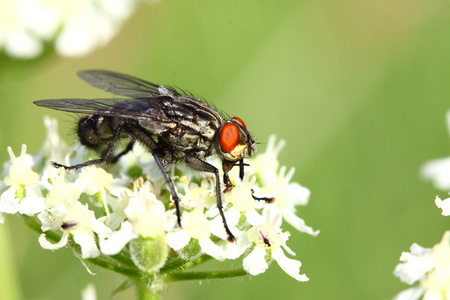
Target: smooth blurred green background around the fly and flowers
x: 358, y: 89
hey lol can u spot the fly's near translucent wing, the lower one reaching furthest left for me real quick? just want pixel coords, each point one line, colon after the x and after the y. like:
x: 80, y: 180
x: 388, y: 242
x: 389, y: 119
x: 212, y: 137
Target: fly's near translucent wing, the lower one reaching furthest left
x: 137, y: 109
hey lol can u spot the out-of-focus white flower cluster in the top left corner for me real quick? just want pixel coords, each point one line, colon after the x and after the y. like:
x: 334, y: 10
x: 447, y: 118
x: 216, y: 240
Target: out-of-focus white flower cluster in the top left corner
x: 76, y: 27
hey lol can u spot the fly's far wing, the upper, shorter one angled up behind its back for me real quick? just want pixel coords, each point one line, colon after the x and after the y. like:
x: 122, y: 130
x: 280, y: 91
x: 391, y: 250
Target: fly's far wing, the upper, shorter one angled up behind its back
x: 119, y: 84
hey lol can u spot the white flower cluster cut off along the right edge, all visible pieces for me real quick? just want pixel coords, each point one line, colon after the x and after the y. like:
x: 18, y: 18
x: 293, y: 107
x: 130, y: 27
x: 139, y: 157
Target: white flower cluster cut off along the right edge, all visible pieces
x: 430, y: 267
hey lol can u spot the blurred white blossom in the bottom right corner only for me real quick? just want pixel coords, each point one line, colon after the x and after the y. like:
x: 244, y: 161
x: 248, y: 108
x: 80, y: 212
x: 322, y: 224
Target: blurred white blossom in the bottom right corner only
x: 431, y: 267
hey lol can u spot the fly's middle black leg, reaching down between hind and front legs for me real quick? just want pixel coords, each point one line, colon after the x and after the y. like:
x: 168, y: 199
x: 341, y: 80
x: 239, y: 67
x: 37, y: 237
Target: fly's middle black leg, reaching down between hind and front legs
x: 144, y: 138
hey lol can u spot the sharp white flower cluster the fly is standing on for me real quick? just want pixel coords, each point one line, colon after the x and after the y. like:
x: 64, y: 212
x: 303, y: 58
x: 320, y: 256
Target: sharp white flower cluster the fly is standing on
x: 105, y: 212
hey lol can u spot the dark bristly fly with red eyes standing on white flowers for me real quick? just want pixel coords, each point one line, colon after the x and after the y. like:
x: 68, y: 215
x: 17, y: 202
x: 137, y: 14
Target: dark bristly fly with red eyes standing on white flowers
x: 174, y: 126
